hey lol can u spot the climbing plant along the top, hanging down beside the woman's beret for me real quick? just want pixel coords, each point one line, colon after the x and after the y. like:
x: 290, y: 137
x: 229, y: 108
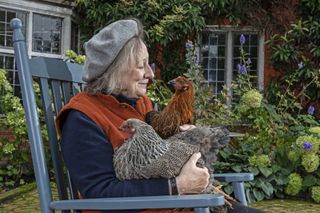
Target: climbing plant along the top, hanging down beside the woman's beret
x: 169, y: 24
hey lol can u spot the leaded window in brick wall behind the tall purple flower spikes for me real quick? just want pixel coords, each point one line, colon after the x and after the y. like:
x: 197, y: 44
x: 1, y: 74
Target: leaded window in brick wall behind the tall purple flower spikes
x: 220, y: 56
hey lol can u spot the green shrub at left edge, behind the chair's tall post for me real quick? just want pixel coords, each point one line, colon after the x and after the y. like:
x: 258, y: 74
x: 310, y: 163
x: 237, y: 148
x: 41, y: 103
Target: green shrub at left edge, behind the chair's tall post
x: 14, y: 150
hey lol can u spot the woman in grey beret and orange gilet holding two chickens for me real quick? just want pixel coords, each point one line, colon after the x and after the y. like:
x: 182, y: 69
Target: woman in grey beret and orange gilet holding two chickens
x: 117, y: 73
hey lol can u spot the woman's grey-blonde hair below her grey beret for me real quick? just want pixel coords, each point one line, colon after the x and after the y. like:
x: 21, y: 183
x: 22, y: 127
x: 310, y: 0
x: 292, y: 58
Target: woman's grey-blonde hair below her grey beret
x: 111, y: 82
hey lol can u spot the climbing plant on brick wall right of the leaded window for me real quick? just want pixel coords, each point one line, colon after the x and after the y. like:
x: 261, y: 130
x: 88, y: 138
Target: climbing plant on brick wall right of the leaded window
x: 295, y: 55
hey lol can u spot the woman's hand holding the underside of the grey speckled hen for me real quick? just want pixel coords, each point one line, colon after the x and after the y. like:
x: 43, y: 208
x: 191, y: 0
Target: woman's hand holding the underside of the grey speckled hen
x: 192, y: 179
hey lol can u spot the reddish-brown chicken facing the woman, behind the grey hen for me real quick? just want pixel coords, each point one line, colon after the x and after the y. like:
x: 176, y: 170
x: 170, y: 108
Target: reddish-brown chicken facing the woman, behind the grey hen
x: 179, y: 110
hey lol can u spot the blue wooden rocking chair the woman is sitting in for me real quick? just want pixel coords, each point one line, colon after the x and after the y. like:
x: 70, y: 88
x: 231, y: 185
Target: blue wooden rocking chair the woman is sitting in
x: 59, y: 81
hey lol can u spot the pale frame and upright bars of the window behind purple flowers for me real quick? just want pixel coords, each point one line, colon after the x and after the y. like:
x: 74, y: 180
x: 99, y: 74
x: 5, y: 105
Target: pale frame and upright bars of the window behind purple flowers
x: 229, y: 31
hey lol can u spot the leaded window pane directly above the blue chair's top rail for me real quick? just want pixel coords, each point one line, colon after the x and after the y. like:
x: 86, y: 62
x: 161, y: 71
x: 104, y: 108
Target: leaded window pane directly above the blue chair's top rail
x: 46, y: 35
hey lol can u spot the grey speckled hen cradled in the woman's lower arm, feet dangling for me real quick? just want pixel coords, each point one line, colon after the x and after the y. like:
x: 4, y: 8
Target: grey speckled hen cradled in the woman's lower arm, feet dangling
x: 146, y: 155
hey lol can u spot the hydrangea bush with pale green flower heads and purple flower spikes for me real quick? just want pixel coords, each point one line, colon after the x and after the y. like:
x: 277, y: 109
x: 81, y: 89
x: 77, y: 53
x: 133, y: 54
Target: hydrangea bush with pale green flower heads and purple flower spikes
x: 280, y: 144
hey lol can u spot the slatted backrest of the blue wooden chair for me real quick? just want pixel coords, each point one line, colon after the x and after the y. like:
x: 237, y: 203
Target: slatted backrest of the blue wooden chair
x: 58, y: 81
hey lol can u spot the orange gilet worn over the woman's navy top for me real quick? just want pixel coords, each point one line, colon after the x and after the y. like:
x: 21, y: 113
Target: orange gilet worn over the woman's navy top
x: 108, y: 114
